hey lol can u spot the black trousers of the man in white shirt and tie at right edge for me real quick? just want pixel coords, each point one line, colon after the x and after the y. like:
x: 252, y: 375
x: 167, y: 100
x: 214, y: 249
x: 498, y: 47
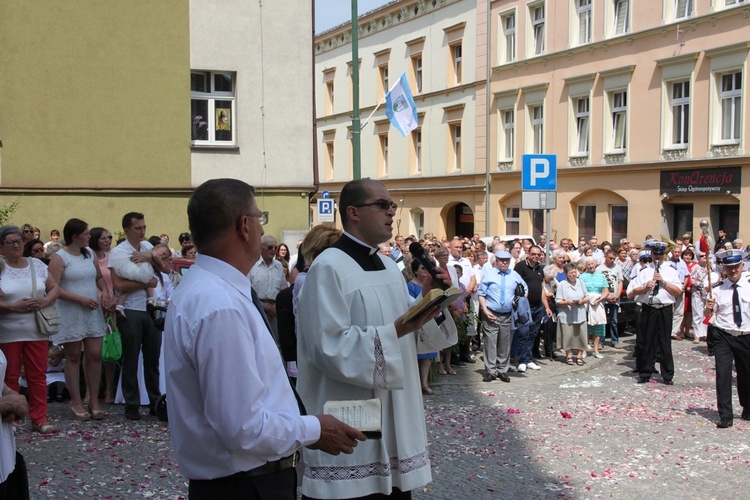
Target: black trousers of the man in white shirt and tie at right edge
x: 728, y: 348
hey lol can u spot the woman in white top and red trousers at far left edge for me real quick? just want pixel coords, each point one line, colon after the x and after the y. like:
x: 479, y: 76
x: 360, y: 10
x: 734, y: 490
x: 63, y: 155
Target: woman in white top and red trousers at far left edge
x: 20, y: 338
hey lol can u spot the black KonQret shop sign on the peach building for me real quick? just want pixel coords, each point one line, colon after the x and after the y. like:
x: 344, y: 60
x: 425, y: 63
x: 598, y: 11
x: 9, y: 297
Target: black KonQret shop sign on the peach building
x: 701, y: 181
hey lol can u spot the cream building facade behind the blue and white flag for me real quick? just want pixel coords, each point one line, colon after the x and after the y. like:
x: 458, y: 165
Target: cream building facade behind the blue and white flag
x: 432, y: 173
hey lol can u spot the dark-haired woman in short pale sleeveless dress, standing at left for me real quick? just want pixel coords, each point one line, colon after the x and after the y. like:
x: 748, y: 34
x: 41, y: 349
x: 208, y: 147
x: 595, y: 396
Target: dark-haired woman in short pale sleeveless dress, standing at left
x: 76, y: 269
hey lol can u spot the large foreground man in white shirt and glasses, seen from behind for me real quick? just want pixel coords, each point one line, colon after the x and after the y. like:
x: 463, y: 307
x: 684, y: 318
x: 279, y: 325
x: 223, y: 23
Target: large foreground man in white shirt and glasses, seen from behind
x: 235, y: 422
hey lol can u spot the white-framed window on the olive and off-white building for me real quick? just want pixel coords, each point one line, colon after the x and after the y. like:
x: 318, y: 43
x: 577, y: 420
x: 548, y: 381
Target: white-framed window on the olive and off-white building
x: 211, y: 97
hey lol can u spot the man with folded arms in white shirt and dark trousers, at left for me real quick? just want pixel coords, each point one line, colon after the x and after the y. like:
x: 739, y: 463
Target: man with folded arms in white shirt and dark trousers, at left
x: 137, y: 329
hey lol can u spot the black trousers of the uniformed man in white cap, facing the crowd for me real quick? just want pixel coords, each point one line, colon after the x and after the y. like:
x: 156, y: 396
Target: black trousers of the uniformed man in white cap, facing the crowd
x: 655, y: 336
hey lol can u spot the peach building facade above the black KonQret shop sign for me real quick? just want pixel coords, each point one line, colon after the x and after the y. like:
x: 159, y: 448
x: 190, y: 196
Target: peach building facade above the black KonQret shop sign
x: 643, y: 104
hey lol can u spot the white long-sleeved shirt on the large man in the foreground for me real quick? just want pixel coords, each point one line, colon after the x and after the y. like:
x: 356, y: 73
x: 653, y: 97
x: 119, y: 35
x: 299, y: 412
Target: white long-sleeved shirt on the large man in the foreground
x: 231, y: 405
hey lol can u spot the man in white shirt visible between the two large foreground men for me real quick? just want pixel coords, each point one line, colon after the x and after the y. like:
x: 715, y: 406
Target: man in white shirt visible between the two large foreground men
x: 269, y: 279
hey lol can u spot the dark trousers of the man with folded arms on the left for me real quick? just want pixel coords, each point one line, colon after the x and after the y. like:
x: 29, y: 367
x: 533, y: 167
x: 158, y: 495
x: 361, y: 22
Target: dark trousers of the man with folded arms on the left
x: 139, y: 334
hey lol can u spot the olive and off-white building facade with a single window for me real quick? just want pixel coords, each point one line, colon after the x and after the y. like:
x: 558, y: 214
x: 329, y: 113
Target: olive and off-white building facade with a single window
x: 97, y: 109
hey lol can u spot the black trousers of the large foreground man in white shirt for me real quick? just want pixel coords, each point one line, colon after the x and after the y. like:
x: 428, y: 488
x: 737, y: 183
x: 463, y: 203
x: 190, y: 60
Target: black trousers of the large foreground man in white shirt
x: 280, y: 485
